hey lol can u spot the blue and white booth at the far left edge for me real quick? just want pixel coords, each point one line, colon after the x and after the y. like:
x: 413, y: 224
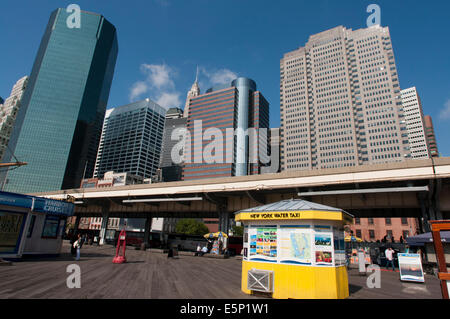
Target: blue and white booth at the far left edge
x: 31, y: 225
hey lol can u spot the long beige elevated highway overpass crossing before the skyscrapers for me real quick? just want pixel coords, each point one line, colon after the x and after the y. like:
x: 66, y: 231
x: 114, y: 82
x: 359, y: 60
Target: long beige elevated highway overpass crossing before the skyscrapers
x: 415, y: 188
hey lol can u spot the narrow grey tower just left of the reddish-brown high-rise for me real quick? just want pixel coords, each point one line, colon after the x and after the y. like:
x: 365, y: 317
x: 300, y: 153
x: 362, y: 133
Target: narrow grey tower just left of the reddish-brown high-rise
x: 170, y: 171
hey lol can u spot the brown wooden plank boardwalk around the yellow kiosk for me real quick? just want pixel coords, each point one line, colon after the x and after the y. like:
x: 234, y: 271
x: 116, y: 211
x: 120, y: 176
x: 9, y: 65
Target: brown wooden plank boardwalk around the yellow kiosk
x: 153, y: 275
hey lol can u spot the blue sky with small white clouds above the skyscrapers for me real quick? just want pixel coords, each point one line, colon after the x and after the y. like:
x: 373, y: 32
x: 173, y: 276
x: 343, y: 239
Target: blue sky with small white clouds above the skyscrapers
x: 162, y: 41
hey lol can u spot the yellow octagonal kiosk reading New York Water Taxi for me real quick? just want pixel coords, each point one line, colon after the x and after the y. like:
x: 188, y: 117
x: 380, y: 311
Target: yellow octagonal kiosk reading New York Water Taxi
x: 295, y: 249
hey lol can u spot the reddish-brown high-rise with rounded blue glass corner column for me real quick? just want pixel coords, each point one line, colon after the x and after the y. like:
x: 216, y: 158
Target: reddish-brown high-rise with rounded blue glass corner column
x: 237, y: 107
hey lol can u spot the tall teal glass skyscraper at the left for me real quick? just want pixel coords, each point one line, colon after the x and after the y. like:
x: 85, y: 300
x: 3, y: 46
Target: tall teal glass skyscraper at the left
x: 59, y: 124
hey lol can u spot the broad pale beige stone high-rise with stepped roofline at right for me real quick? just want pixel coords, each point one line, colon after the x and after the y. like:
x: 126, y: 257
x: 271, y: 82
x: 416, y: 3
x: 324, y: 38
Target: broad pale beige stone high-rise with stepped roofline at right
x: 340, y: 101
